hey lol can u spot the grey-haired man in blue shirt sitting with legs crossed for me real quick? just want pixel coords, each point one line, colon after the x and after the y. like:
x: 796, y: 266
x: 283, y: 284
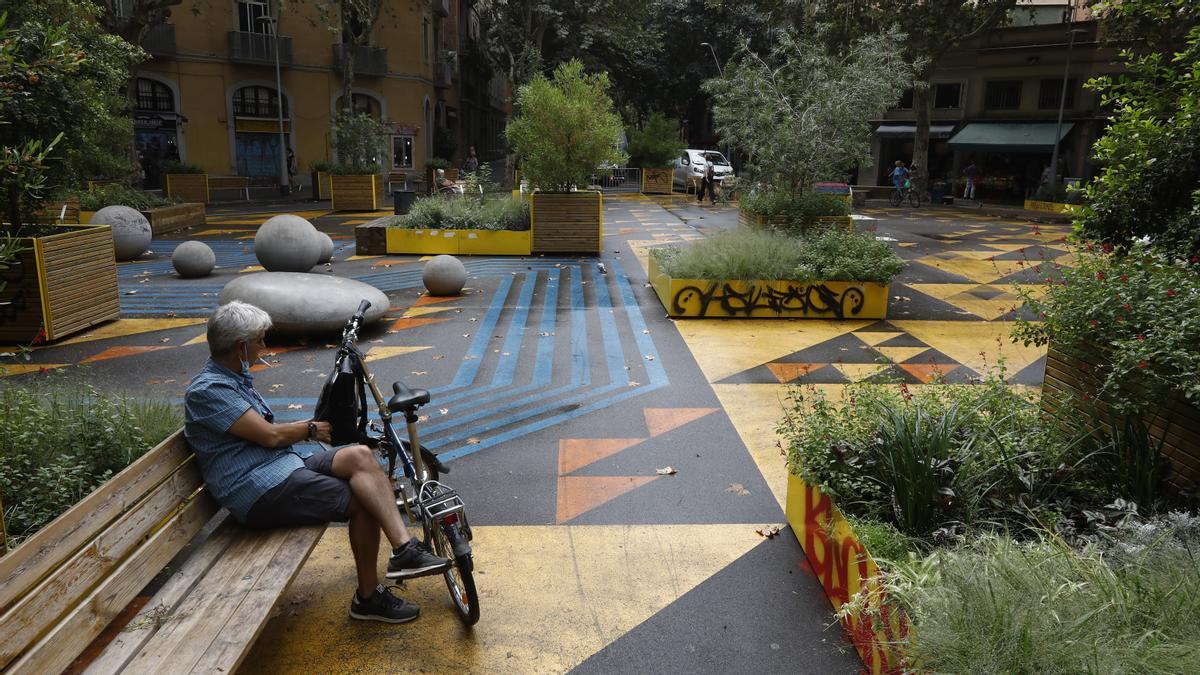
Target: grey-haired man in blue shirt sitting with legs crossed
x: 253, y: 468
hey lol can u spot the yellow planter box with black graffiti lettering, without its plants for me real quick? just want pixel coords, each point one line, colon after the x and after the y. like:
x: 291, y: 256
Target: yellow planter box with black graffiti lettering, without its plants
x: 769, y: 300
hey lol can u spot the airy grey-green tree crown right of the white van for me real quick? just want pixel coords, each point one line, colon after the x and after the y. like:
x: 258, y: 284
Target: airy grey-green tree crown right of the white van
x: 802, y: 112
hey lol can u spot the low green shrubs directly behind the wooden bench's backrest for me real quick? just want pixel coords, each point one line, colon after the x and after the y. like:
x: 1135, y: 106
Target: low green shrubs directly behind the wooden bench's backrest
x: 57, y: 449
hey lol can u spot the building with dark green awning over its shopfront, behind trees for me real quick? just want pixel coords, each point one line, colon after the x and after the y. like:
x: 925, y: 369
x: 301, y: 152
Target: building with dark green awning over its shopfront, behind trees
x: 995, y: 103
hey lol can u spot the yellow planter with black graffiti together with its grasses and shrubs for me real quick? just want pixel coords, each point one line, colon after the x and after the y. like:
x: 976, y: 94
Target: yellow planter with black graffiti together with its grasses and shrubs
x: 765, y: 274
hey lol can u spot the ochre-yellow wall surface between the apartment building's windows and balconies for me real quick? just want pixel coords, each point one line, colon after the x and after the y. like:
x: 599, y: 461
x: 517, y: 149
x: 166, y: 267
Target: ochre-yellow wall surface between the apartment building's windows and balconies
x: 205, y: 81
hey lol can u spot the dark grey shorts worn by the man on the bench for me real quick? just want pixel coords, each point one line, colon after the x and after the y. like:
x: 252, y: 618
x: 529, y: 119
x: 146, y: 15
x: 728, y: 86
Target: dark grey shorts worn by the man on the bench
x: 309, y: 497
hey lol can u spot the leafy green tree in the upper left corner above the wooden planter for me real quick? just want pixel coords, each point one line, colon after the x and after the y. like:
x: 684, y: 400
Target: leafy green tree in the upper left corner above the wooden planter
x: 63, y: 116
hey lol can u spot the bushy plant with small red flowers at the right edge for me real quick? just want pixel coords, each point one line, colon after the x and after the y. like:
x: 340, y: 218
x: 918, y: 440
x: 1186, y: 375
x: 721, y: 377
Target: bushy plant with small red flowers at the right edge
x: 1139, y: 308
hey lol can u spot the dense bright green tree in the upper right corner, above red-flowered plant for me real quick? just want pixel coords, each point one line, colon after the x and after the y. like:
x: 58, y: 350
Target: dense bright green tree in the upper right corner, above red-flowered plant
x: 1150, y: 182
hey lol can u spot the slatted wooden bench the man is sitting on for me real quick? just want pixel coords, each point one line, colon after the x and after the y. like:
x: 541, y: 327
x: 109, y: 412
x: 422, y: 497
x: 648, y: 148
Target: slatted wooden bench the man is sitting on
x: 73, y: 594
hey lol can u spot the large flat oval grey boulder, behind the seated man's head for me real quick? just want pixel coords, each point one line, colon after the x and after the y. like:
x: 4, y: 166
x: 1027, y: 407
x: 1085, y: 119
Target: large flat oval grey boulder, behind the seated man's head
x: 305, y: 303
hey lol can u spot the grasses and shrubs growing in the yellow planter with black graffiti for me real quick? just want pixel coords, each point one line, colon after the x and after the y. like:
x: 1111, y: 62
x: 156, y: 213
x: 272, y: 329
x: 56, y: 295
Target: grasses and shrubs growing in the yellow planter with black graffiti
x: 752, y: 254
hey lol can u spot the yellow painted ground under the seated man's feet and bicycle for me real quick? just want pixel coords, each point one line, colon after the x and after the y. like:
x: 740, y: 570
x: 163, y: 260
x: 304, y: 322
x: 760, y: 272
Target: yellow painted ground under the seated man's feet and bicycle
x: 550, y: 596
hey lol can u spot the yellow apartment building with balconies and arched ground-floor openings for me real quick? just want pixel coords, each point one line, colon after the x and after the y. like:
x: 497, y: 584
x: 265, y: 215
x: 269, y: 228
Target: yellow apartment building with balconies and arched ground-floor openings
x: 208, y: 95
